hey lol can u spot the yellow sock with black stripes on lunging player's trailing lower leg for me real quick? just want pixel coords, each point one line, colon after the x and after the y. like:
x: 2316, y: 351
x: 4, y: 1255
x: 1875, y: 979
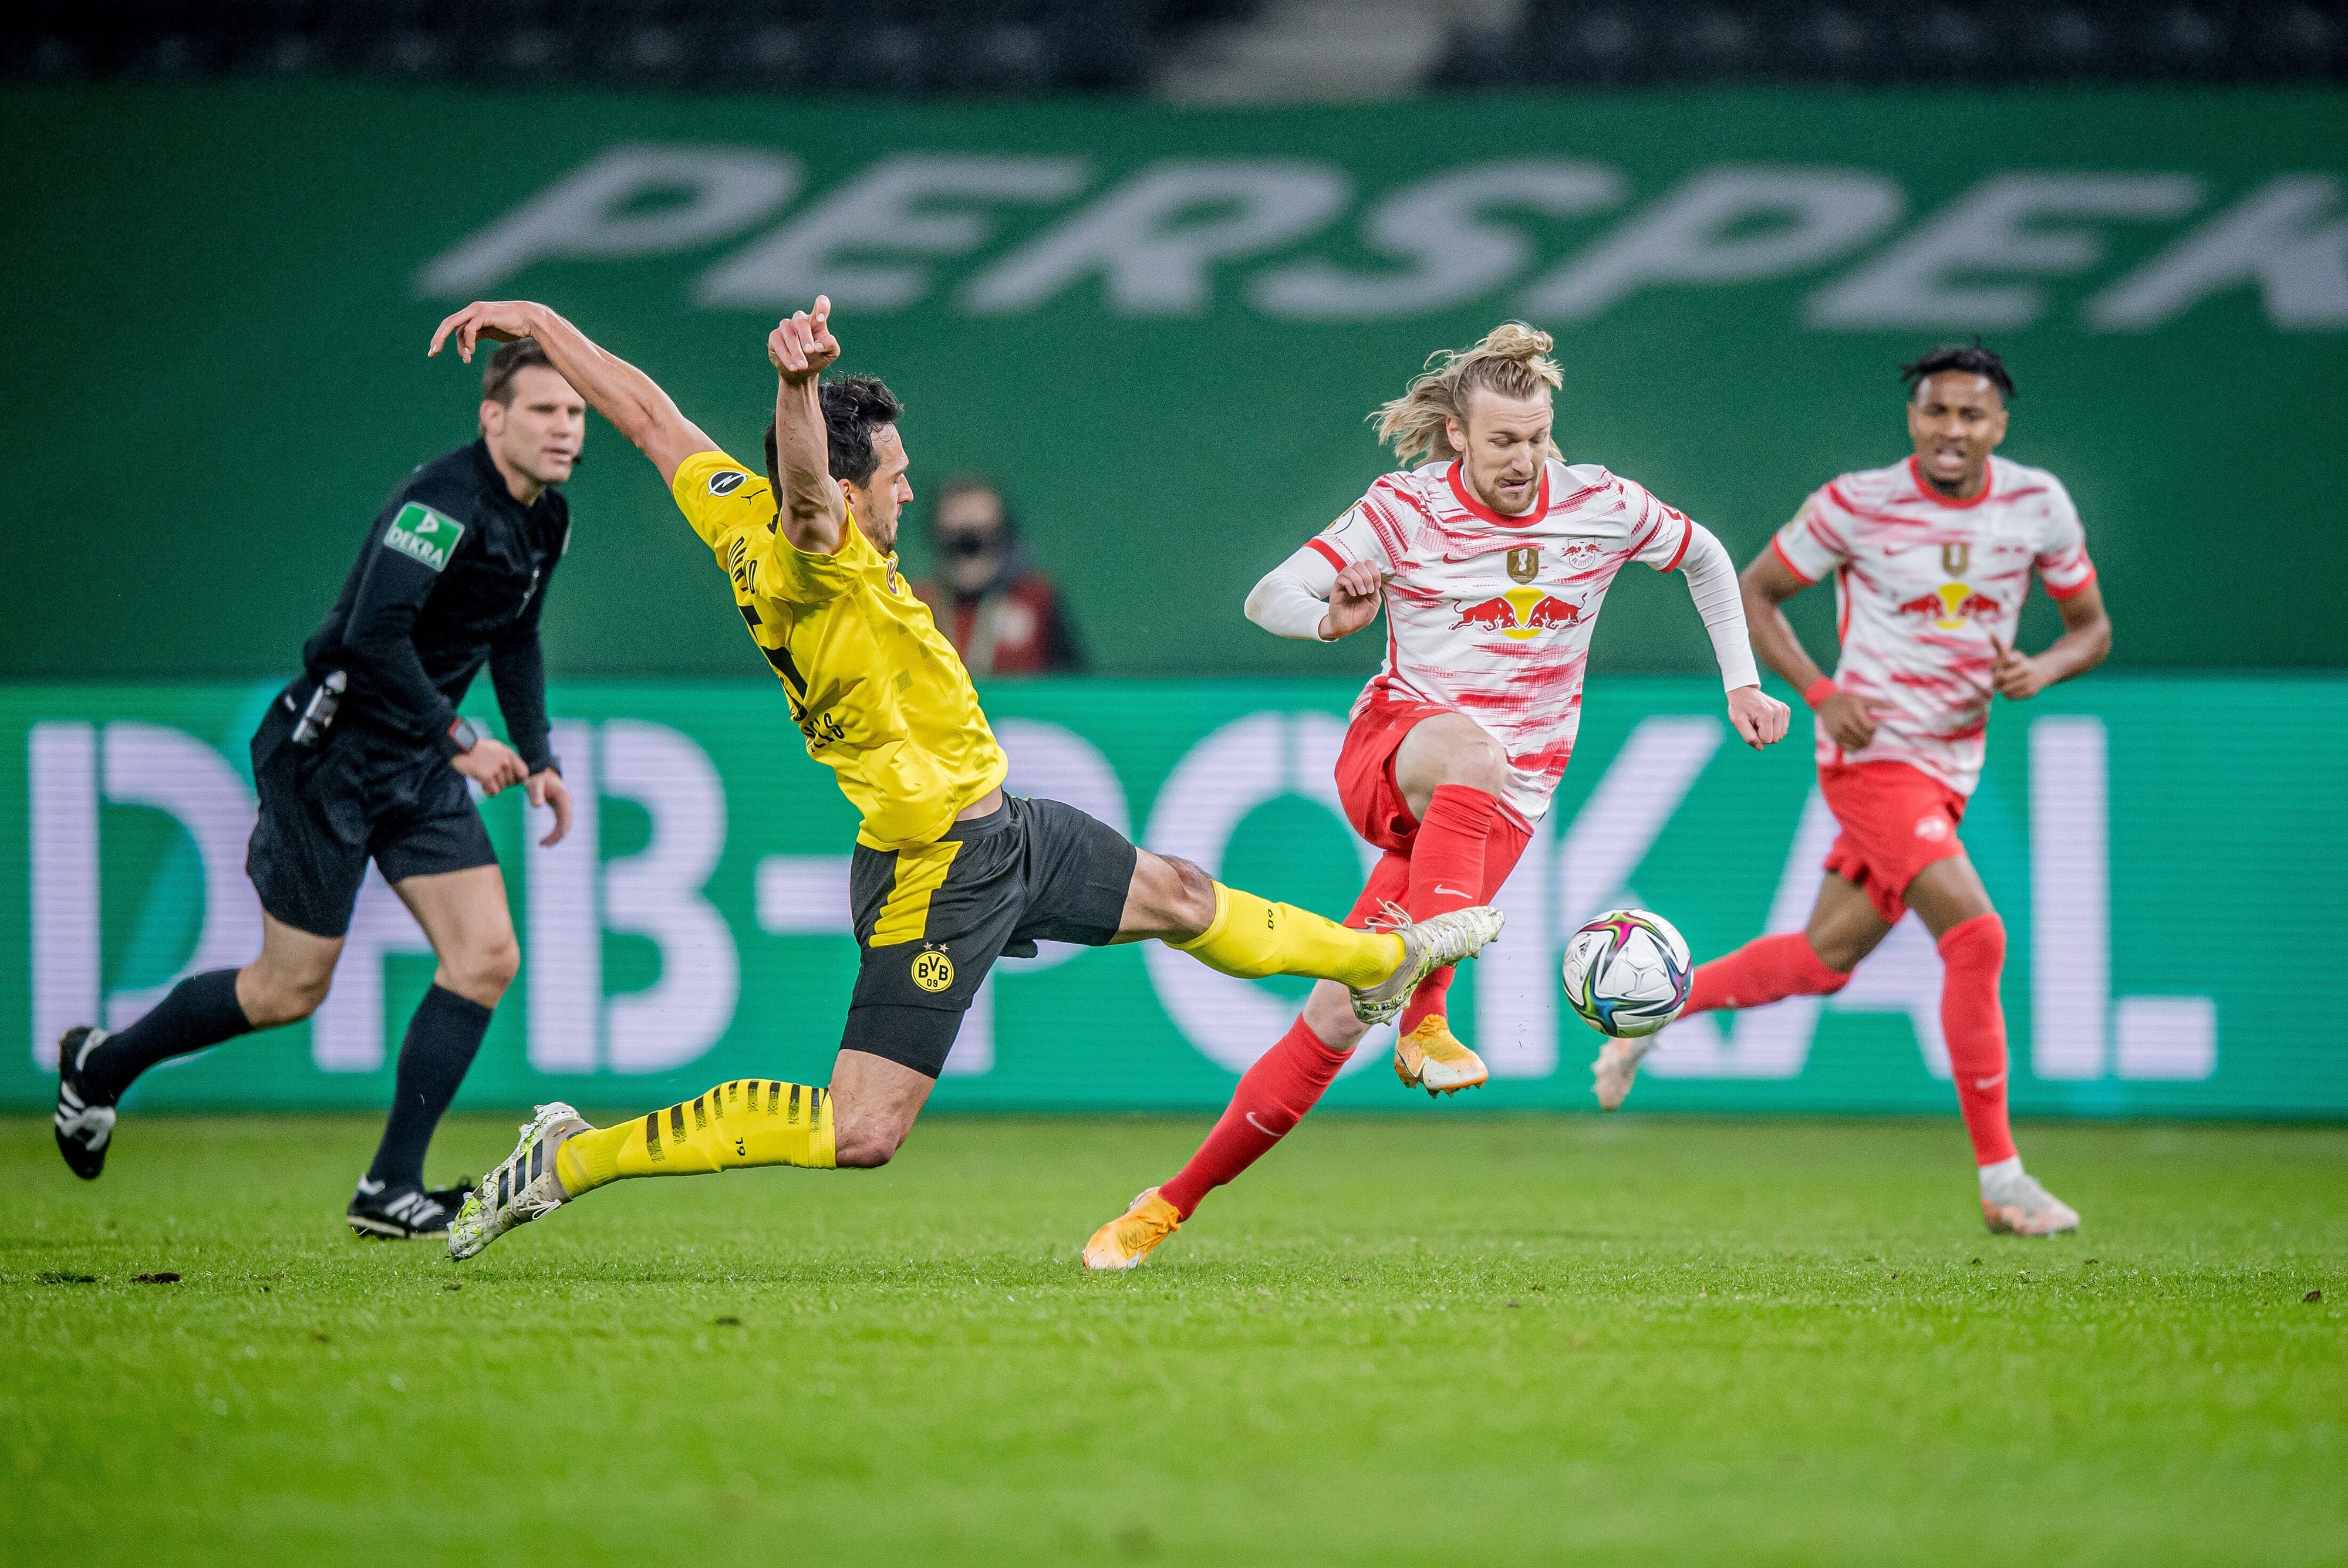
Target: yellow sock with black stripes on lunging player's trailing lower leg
x: 750, y: 1121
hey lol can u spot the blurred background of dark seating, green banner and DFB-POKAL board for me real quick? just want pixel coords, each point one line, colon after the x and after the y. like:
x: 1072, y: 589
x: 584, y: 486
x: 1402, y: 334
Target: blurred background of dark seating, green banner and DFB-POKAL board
x: 1147, y: 266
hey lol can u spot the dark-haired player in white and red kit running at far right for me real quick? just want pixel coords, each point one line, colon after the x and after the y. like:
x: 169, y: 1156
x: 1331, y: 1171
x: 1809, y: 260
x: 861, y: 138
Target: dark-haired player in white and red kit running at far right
x: 1931, y: 565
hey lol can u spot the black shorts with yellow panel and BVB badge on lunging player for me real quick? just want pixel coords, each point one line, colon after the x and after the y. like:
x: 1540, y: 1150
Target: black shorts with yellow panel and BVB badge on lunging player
x: 931, y: 921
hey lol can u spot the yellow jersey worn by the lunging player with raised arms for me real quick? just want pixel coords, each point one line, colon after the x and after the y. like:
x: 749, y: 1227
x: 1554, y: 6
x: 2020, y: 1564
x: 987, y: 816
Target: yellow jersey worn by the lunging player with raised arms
x: 875, y: 687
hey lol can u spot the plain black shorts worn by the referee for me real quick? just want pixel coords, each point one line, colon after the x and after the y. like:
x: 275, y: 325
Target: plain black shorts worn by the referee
x: 356, y: 797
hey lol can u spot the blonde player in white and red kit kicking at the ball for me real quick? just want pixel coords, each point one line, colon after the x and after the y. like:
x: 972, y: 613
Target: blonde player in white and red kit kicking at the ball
x: 1490, y: 557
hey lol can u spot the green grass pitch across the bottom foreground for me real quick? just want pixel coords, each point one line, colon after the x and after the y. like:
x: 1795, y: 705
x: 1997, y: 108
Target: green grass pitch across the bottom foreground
x: 1401, y: 1341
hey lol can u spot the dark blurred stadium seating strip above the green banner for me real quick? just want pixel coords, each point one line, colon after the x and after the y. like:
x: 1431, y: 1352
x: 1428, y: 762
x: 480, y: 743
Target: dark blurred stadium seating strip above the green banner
x: 1121, y: 46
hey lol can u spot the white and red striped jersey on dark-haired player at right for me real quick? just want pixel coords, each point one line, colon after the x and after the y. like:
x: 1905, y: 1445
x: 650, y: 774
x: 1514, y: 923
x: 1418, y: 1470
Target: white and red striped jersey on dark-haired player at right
x: 1924, y: 588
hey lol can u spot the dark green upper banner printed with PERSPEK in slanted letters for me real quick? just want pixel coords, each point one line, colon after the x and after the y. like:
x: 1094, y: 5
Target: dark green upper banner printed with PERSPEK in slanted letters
x: 1161, y: 327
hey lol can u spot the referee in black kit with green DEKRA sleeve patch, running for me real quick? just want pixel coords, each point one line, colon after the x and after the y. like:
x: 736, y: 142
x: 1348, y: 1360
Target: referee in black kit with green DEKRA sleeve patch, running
x: 365, y: 759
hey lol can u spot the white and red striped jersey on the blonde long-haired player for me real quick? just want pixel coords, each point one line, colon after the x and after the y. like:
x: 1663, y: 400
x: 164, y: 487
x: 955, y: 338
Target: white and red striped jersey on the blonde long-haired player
x: 1490, y: 616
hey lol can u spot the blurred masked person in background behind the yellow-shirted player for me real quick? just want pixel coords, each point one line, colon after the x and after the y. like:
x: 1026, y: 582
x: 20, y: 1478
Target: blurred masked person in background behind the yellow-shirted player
x: 1001, y: 614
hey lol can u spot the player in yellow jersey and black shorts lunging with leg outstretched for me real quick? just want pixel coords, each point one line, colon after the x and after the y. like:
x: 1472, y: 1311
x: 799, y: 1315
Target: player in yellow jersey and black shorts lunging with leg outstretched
x: 950, y: 872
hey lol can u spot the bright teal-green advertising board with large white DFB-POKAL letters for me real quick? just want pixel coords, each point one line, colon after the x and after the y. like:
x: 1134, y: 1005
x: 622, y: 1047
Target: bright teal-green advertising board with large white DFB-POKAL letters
x: 2166, y: 856
